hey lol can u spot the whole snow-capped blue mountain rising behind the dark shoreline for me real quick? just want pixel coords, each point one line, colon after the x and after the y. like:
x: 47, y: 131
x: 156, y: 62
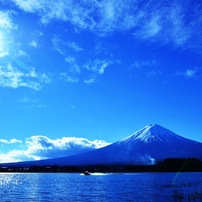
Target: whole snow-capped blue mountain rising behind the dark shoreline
x: 147, y: 146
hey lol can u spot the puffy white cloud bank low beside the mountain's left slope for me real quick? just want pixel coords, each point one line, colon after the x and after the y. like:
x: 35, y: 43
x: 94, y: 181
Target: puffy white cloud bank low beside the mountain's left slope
x: 42, y: 147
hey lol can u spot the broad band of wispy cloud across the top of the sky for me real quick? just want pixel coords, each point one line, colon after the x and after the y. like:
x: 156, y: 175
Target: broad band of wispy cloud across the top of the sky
x: 163, y: 22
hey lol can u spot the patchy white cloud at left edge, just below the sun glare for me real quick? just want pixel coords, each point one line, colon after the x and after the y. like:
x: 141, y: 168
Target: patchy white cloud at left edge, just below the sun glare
x: 14, y: 78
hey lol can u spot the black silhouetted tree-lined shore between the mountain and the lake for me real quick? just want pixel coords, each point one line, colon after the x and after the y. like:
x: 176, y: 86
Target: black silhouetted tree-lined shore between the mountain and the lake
x: 168, y: 165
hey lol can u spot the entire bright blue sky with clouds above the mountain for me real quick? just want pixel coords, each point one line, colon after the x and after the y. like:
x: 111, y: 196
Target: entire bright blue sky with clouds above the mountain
x: 77, y: 75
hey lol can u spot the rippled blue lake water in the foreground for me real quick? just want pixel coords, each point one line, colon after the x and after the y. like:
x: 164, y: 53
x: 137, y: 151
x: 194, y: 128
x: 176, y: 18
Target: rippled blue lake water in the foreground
x: 138, y: 187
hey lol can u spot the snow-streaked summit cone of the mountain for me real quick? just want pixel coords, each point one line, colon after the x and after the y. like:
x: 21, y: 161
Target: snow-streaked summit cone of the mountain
x: 154, y: 133
